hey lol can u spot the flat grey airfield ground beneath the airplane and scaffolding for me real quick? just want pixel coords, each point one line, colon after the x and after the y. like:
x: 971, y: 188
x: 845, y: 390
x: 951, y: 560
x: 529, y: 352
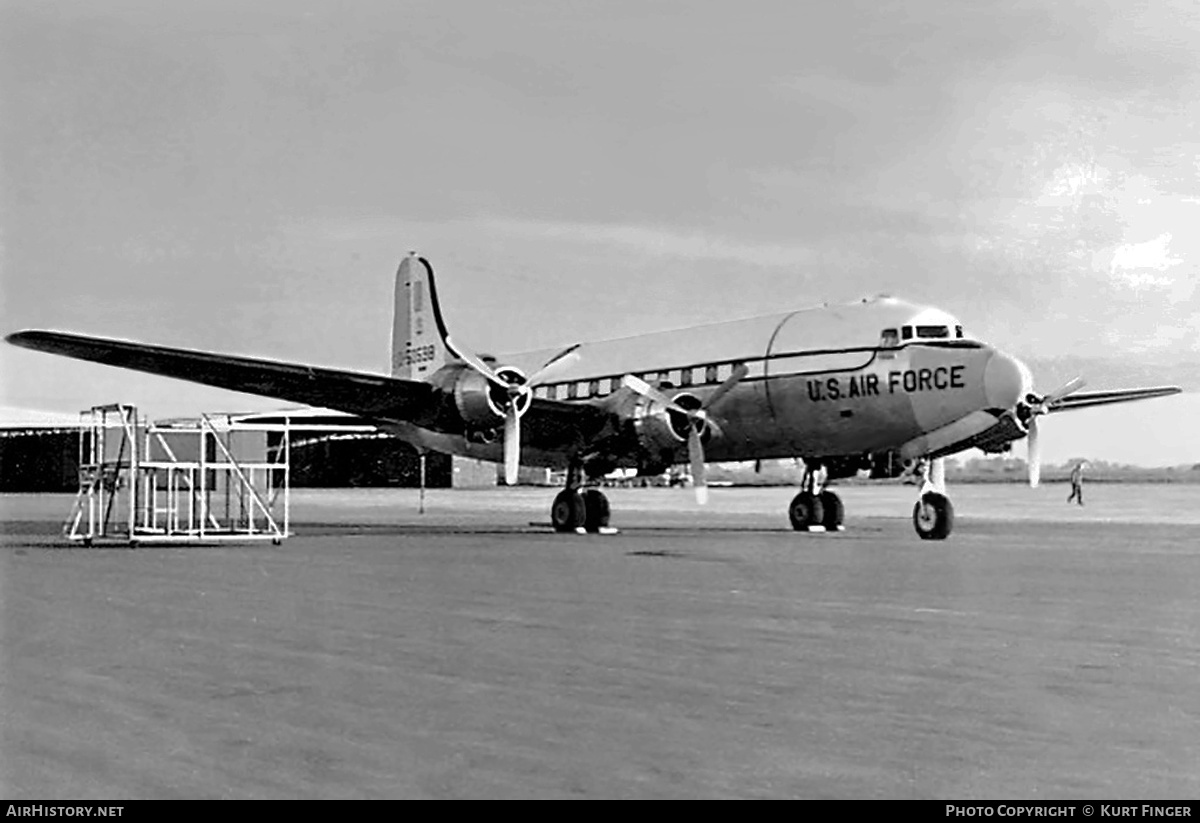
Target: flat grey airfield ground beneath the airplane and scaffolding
x: 1042, y: 652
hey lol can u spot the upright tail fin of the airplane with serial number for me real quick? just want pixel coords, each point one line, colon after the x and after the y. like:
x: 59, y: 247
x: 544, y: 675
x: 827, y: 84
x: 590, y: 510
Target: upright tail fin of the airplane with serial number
x: 418, y: 333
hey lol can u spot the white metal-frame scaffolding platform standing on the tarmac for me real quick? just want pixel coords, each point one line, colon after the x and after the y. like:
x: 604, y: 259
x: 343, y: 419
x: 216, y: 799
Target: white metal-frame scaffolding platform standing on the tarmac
x: 205, y: 480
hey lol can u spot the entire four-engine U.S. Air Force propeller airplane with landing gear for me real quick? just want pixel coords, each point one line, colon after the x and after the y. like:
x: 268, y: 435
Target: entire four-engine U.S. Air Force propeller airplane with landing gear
x: 879, y: 386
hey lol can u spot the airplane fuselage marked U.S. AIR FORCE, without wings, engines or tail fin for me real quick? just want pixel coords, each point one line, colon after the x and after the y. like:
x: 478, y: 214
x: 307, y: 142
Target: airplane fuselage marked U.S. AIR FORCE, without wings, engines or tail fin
x: 824, y: 382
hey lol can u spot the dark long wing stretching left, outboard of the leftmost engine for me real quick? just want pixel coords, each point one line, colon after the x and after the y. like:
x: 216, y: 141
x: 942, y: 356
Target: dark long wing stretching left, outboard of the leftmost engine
x: 358, y: 393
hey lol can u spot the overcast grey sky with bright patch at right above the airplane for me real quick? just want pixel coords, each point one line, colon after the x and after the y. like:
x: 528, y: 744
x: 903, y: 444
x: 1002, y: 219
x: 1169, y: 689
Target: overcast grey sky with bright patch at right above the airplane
x: 244, y: 177
